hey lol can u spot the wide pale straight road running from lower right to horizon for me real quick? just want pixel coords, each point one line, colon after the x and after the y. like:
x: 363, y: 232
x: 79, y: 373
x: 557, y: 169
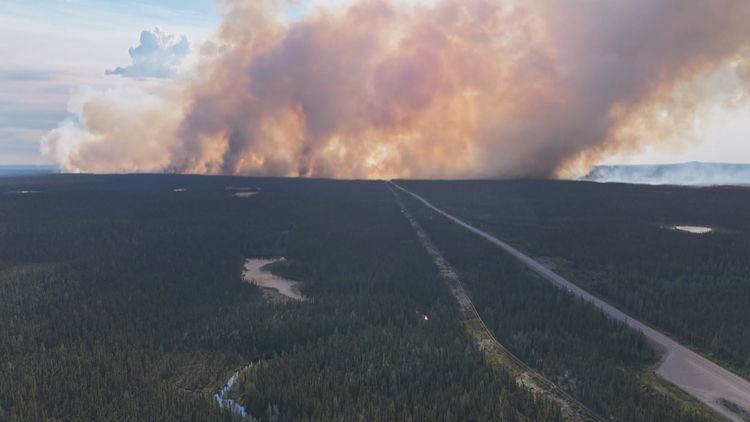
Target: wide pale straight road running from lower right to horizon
x: 708, y: 382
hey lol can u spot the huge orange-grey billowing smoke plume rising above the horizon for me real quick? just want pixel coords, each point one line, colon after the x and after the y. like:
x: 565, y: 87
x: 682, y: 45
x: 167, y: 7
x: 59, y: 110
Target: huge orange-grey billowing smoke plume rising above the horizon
x: 432, y: 88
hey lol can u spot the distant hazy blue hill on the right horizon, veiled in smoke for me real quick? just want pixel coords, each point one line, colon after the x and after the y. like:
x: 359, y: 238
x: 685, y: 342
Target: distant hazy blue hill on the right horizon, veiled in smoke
x: 694, y: 174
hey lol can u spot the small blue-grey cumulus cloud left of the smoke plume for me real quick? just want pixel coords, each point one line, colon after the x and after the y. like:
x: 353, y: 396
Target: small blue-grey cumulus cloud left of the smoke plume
x: 155, y: 57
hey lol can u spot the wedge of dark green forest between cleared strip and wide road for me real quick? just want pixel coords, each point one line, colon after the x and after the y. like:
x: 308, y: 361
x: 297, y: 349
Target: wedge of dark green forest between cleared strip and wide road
x: 594, y: 359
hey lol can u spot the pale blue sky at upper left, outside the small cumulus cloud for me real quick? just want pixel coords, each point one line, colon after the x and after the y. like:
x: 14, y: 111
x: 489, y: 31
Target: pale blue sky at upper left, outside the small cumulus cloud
x: 52, y: 47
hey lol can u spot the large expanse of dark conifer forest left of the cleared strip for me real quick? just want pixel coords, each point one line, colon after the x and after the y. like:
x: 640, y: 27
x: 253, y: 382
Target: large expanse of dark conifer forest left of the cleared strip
x: 122, y: 300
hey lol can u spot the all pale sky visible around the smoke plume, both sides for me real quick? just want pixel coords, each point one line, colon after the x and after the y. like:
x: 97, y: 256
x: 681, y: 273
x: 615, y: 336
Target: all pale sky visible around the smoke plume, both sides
x: 53, y: 50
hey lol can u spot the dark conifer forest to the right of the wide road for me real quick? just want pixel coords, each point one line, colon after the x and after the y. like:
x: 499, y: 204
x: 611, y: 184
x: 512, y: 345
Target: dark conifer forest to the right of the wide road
x: 618, y: 241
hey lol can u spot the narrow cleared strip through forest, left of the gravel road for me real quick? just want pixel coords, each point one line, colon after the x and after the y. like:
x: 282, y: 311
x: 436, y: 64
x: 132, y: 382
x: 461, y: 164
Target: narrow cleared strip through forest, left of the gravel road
x: 525, y: 376
